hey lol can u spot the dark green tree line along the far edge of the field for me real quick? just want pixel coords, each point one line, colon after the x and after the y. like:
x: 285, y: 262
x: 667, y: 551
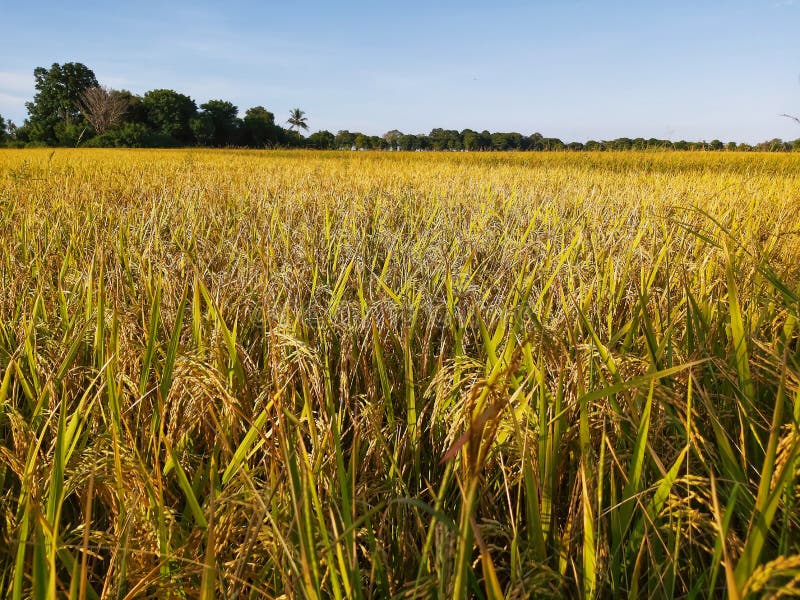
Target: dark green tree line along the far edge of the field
x: 71, y: 108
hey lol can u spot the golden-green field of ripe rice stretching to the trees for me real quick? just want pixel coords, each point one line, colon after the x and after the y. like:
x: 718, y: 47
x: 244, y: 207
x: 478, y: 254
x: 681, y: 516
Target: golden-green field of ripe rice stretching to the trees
x: 326, y: 375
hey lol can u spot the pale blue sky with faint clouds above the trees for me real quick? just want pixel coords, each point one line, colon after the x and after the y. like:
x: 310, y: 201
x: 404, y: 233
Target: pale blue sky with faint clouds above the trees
x: 572, y: 69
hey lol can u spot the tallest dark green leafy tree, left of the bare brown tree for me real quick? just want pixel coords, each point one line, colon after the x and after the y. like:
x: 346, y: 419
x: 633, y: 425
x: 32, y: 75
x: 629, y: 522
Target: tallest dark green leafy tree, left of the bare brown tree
x: 54, y: 115
